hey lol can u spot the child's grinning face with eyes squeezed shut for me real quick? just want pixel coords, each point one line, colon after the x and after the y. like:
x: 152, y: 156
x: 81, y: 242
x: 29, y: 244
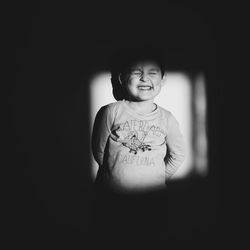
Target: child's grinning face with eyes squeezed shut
x: 144, y: 81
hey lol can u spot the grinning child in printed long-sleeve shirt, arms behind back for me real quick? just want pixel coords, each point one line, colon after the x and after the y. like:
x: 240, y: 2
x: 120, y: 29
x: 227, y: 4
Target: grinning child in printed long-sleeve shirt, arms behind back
x: 140, y: 78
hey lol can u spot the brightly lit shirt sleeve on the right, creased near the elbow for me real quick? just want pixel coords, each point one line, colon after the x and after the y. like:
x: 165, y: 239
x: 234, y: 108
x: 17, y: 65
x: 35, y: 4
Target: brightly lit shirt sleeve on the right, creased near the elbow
x: 175, y: 147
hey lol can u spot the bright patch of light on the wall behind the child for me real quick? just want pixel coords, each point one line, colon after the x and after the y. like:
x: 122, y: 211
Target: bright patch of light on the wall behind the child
x: 175, y: 96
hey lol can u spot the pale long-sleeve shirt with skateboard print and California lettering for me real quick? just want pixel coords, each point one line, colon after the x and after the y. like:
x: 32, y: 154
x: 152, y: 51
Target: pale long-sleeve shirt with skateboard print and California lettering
x: 136, y: 152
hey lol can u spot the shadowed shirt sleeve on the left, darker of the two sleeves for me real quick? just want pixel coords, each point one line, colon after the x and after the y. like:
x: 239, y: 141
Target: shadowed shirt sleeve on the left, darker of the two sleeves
x: 100, y: 134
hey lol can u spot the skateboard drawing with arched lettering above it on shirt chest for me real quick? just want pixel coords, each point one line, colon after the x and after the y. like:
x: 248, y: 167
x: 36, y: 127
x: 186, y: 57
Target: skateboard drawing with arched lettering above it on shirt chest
x: 132, y: 134
